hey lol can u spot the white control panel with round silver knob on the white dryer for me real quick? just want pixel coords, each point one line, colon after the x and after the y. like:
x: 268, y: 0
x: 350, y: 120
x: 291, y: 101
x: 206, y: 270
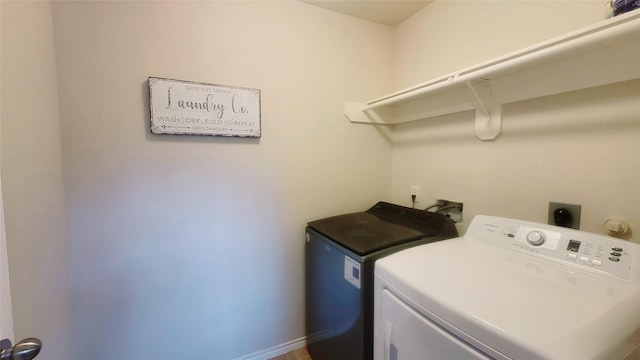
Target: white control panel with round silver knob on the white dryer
x: 599, y: 253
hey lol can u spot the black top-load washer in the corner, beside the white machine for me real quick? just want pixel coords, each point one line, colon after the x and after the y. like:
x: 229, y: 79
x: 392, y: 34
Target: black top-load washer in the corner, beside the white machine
x: 340, y: 254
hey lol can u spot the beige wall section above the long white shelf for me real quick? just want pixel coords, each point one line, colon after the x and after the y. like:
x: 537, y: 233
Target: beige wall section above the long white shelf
x: 449, y: 35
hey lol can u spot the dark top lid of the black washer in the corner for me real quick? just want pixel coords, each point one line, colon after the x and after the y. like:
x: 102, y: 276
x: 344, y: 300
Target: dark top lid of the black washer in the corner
x: 383, y: 226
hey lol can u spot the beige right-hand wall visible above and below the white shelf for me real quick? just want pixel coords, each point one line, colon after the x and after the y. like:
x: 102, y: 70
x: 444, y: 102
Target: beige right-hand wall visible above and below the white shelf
x: 579, y: 147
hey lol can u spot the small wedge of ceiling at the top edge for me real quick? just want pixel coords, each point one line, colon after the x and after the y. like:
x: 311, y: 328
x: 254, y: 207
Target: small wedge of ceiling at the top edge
x: 387, y: 12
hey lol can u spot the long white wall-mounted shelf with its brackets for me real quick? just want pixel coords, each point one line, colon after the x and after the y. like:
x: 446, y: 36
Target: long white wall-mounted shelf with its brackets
x: 604, y: 53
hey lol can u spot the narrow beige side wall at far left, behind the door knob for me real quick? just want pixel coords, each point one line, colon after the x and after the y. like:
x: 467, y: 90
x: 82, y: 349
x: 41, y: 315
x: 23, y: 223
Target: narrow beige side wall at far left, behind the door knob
x: 32, y: 180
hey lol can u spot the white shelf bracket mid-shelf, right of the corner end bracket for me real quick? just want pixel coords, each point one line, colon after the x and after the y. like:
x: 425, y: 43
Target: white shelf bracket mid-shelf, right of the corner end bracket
x: 488, y: 119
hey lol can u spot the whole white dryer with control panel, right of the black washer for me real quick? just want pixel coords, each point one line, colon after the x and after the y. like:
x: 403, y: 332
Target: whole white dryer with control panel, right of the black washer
x: 510, y: 289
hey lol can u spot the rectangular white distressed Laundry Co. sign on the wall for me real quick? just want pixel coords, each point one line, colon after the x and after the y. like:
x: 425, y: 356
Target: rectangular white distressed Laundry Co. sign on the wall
x: 192, y: 108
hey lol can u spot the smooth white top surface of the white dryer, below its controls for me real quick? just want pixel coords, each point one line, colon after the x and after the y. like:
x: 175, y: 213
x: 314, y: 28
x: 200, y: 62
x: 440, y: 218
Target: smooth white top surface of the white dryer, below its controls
x: 516, y: 305
